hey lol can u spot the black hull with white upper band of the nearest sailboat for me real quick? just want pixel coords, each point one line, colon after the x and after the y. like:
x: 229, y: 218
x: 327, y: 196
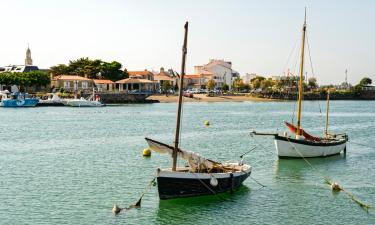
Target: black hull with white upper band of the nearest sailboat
x: 187, y: 184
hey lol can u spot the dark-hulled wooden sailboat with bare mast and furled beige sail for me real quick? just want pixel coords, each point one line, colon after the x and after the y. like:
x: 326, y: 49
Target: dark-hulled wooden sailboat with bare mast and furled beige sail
x: 202, y: 176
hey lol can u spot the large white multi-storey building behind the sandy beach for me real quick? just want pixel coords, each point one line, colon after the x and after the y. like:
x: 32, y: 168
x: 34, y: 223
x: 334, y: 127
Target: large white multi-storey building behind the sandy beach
x: 222, y: 72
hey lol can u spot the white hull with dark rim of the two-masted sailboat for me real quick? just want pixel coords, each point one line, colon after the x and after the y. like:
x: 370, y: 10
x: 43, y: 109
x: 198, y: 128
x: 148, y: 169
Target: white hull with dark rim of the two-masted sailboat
x: 292, y: 148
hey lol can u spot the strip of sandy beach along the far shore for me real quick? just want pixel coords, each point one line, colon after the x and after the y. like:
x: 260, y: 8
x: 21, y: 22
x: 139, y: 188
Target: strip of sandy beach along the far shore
x: 204, y: 98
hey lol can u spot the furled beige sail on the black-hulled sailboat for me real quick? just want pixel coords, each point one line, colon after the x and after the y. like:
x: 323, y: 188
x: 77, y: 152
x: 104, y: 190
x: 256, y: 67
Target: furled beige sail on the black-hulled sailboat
x: 196, y: 162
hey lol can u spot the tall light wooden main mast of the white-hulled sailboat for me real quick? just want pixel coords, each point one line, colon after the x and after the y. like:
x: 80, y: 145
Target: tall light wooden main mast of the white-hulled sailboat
x: 300, y: 91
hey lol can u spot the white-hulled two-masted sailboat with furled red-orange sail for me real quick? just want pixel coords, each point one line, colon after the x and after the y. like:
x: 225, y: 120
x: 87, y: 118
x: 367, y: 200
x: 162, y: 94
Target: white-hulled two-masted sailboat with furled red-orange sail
x: 303, y: 144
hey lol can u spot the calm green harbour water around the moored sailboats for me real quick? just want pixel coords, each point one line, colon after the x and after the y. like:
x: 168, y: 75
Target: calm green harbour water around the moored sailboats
x: 70, y: 165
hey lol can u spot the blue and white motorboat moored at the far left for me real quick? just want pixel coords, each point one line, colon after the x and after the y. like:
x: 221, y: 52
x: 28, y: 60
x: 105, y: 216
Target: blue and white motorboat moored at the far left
x: 17, y: 99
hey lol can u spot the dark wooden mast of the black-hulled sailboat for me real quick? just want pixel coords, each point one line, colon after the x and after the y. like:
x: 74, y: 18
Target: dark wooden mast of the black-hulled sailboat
x: 177, y: 134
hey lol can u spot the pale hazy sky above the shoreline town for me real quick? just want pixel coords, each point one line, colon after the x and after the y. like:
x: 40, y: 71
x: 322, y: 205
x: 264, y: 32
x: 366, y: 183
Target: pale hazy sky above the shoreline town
x: 260, y: 37
